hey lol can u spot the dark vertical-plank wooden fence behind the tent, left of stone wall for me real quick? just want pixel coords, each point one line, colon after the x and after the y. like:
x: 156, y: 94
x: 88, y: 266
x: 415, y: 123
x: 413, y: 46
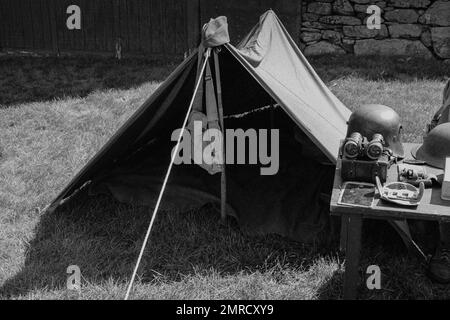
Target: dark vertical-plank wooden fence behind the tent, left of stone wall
x: 144, y: 27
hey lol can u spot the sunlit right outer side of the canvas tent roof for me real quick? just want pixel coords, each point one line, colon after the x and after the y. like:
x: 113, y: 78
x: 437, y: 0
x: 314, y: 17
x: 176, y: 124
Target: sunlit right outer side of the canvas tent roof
x: 272, y: 57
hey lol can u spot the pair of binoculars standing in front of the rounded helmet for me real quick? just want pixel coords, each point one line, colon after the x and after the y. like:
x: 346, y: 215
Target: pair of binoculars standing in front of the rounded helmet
x: 358, y: 147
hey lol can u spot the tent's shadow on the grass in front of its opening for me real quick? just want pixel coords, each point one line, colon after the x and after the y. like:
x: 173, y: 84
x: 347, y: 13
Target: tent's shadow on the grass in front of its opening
x: 104, y: 237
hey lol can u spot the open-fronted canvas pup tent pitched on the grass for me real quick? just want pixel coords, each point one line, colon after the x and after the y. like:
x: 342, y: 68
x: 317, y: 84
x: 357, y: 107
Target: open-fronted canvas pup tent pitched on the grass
x: 265, y: 69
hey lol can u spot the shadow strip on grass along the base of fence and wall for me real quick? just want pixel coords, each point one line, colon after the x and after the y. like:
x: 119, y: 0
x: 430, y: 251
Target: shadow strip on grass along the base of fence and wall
x: 29, y: 79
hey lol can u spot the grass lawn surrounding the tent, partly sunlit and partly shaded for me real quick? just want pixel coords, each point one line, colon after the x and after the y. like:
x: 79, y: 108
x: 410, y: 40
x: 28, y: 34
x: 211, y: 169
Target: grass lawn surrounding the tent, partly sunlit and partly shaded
x: 56, y: 113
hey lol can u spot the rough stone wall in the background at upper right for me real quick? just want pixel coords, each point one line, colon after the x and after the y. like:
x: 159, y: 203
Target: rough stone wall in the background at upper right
x: 408, y: 27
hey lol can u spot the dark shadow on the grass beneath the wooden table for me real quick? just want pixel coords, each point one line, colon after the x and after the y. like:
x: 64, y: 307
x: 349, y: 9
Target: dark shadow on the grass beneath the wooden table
x: 402, y: 275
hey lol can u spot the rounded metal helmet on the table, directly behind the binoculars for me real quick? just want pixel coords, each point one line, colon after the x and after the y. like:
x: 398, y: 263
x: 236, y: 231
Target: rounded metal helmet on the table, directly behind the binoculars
x: 371, y: 119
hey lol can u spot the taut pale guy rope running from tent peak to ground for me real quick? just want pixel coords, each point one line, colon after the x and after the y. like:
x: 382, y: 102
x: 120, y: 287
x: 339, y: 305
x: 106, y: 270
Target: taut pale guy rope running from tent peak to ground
x: 161, y: 193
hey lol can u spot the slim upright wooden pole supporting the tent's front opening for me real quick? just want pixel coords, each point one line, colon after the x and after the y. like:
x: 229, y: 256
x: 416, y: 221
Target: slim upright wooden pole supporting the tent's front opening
x: 223, y: 177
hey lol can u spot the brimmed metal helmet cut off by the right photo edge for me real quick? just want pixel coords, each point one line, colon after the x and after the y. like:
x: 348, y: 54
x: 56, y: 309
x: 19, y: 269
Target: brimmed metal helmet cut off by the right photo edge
x: 435, y: 147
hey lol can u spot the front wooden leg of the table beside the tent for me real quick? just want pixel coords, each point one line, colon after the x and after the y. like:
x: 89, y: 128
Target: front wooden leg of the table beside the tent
x: 352, y: 251
